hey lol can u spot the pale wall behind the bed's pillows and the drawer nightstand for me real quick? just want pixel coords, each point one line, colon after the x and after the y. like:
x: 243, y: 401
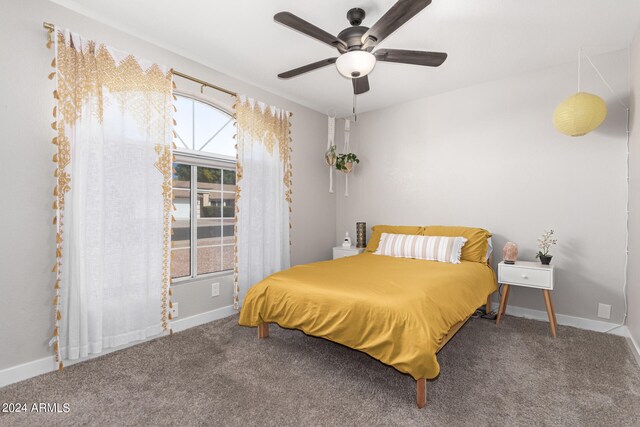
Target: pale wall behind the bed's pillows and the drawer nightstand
x: 488, y: 156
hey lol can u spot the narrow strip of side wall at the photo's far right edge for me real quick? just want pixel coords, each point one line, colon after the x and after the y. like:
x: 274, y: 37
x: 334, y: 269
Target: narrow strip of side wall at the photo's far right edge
x: 633, y: 322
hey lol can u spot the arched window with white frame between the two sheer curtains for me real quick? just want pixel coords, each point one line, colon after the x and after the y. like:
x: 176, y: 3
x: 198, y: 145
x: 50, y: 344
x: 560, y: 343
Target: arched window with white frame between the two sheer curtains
x: 204, y: 184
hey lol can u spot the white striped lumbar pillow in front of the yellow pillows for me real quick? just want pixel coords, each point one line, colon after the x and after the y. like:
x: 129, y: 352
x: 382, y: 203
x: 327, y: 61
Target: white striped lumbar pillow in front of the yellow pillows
x: 432, y: 248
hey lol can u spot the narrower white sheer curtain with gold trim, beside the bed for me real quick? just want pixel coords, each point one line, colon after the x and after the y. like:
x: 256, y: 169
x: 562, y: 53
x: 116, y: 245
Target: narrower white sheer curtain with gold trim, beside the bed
x: 263, y: 193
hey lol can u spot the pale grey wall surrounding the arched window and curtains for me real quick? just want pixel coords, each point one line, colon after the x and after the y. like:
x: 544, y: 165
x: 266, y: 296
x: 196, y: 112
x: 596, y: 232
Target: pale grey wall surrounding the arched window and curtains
x: 27, y: 248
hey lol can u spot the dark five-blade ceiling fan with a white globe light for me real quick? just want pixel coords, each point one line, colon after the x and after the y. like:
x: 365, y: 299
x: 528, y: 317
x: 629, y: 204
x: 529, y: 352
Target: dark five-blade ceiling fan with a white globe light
x: 357, y: 42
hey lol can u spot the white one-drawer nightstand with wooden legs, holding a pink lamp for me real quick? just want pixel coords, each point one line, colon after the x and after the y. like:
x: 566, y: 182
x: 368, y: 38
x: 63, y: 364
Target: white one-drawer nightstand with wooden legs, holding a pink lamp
x: 530, y: 275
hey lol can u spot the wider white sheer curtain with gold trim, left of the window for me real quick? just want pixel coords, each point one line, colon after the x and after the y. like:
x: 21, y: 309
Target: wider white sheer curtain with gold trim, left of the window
x: 113, y: 197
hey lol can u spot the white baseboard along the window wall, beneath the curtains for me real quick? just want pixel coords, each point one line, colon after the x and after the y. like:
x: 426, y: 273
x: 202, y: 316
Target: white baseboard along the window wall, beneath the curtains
x: 48, y: 364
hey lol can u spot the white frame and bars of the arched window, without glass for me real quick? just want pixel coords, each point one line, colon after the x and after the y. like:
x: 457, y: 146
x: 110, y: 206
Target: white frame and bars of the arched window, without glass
x: 194, y: 159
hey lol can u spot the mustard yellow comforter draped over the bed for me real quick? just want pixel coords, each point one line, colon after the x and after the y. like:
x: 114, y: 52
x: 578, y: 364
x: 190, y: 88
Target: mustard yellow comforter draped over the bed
x: 397, y: 310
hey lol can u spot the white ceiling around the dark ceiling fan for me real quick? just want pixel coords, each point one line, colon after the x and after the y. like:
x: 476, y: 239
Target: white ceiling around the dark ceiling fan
x: 485, y: 40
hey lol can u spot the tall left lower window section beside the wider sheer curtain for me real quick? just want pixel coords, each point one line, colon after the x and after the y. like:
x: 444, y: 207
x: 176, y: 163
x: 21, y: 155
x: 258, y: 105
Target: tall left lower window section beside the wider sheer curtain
x: 181, y: 227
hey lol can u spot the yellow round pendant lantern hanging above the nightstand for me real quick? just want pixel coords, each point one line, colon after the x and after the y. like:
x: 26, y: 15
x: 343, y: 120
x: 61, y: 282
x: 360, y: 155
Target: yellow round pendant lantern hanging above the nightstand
x: 579, y: 114
